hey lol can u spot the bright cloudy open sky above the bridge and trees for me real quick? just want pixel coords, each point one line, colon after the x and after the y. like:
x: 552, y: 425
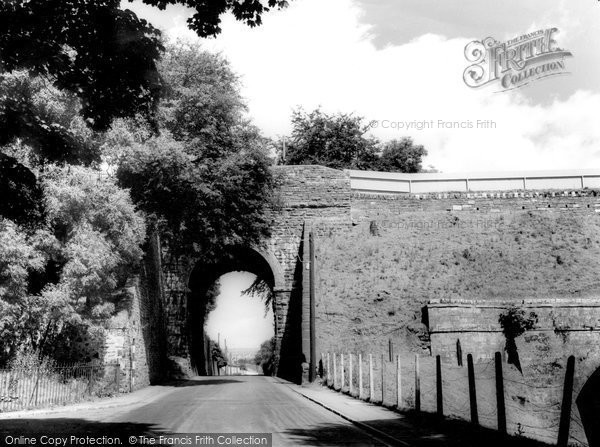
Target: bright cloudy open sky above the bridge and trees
x: 396, y: 62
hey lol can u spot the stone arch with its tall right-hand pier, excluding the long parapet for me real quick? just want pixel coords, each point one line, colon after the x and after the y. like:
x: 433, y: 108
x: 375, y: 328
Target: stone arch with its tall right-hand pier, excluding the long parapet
x: 310, y: 197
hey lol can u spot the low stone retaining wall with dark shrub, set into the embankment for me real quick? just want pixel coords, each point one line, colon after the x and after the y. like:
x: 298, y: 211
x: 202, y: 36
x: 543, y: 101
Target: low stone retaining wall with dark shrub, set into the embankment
x: 565, y: 326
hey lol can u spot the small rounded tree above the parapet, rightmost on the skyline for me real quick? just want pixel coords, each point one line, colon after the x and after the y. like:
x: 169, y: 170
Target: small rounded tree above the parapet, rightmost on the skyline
x: 401, y: 156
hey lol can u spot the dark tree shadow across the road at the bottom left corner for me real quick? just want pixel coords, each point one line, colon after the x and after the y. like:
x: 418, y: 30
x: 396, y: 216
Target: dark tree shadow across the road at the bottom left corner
x: 66, y: 427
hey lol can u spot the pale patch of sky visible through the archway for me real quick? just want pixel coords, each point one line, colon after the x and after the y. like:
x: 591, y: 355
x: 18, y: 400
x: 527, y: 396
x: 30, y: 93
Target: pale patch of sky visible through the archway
x: 239, y: 319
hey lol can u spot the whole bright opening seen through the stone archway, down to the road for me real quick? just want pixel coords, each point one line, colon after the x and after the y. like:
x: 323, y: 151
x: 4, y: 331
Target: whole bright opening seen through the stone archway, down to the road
x: 239, y: 322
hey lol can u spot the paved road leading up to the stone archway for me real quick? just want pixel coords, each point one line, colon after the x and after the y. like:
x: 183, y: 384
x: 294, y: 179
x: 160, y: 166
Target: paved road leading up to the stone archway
x: 249, y: 404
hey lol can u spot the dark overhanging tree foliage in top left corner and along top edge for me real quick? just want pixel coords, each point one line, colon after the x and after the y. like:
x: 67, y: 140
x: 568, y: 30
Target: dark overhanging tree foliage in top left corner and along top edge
x: 103, y: 56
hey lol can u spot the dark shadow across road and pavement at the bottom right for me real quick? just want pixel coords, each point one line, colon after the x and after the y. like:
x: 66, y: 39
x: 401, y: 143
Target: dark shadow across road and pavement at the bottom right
x: 413, y: 430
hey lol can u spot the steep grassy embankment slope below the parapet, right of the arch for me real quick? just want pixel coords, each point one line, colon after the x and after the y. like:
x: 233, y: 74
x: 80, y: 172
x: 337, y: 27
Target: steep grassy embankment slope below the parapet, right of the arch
x: 373, y: 282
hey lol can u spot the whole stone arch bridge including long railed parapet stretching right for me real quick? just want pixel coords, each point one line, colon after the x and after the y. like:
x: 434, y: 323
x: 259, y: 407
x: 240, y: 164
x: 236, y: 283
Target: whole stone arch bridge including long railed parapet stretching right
x: 326, y: 201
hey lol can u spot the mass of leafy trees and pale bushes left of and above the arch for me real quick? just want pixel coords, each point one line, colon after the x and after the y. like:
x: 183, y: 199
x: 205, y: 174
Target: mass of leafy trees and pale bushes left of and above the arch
x: 72, y: 233
